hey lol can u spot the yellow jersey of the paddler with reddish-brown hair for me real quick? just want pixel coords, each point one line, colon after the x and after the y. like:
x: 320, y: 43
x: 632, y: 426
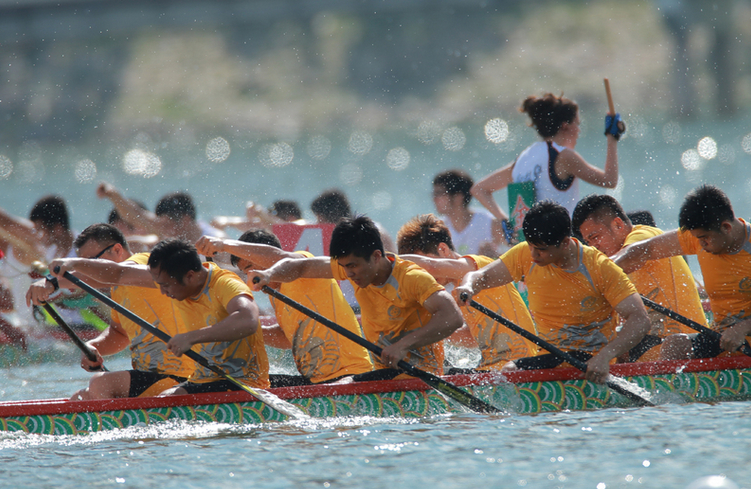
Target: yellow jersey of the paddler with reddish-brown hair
x: 499, y: 345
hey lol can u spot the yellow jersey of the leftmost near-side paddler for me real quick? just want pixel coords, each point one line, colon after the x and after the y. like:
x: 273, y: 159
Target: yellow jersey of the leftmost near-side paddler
x: 244, y: 359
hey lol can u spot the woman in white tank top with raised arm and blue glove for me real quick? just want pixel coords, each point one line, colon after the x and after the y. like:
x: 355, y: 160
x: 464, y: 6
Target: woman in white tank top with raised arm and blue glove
x: 552, y: 164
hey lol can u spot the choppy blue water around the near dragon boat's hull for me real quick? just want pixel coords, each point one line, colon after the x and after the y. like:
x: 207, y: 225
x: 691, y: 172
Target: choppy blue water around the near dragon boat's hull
x: 667, y: 446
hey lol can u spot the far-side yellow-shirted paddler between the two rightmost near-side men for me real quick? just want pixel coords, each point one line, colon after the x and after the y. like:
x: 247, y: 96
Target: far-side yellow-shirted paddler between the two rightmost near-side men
x: 602, y: 223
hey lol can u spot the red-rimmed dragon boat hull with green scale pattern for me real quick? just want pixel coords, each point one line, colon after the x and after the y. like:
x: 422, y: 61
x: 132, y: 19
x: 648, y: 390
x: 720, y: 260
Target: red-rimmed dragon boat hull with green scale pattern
x: 523, y: 392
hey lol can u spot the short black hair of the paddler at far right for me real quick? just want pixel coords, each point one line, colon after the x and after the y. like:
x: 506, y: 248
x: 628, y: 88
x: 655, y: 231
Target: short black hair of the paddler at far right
x: 706, y: 207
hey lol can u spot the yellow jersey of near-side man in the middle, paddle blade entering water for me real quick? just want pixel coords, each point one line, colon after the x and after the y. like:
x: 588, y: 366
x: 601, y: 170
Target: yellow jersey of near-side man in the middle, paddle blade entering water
x: 395, y: 308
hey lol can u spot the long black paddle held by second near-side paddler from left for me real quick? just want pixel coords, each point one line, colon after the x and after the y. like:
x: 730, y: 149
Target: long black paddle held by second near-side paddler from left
x: 437, y: 383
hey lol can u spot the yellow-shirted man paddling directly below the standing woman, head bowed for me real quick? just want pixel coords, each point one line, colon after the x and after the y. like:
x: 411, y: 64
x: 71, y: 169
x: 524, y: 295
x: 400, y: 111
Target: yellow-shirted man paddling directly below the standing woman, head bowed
x: 574, y: 293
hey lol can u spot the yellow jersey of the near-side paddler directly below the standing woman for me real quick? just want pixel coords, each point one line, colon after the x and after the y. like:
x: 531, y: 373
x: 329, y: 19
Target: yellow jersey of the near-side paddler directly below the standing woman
x: 573, y: 309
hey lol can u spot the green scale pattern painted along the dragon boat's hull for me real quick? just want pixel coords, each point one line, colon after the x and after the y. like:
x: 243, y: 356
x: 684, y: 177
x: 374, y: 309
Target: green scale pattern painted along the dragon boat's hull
x: 520, y: 398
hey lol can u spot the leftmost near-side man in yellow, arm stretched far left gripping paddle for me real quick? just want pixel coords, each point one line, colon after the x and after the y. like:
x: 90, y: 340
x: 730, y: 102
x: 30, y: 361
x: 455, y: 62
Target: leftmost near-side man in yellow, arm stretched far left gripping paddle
x: 216, y: 307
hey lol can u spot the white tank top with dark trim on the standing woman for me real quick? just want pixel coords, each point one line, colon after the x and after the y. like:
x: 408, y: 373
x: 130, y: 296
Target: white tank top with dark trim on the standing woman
x: 537, y: 164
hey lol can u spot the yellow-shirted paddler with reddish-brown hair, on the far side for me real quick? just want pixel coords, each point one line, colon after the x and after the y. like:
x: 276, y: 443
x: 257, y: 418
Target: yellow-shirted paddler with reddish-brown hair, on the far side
x: 426, y: 241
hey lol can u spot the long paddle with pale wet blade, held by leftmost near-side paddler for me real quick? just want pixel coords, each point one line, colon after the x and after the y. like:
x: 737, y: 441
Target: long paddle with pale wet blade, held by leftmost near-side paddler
x: 262, y: 395
